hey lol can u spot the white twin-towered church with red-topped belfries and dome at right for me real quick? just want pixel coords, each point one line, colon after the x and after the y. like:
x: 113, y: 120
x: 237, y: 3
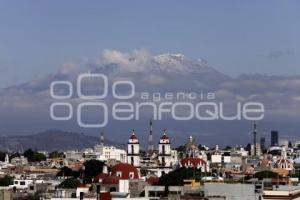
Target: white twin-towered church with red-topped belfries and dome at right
x: 163, y: 159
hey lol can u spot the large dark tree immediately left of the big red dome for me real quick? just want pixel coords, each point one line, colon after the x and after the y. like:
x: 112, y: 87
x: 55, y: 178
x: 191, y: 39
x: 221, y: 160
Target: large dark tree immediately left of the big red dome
x: 91, y: 169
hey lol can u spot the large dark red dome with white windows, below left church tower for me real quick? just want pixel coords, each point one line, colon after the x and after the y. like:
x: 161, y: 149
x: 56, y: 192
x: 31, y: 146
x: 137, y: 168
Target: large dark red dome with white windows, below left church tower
x: 125, y: 171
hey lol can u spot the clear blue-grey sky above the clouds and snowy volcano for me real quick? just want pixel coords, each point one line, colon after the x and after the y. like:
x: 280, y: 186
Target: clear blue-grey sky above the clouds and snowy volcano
x: 37, y: 37
